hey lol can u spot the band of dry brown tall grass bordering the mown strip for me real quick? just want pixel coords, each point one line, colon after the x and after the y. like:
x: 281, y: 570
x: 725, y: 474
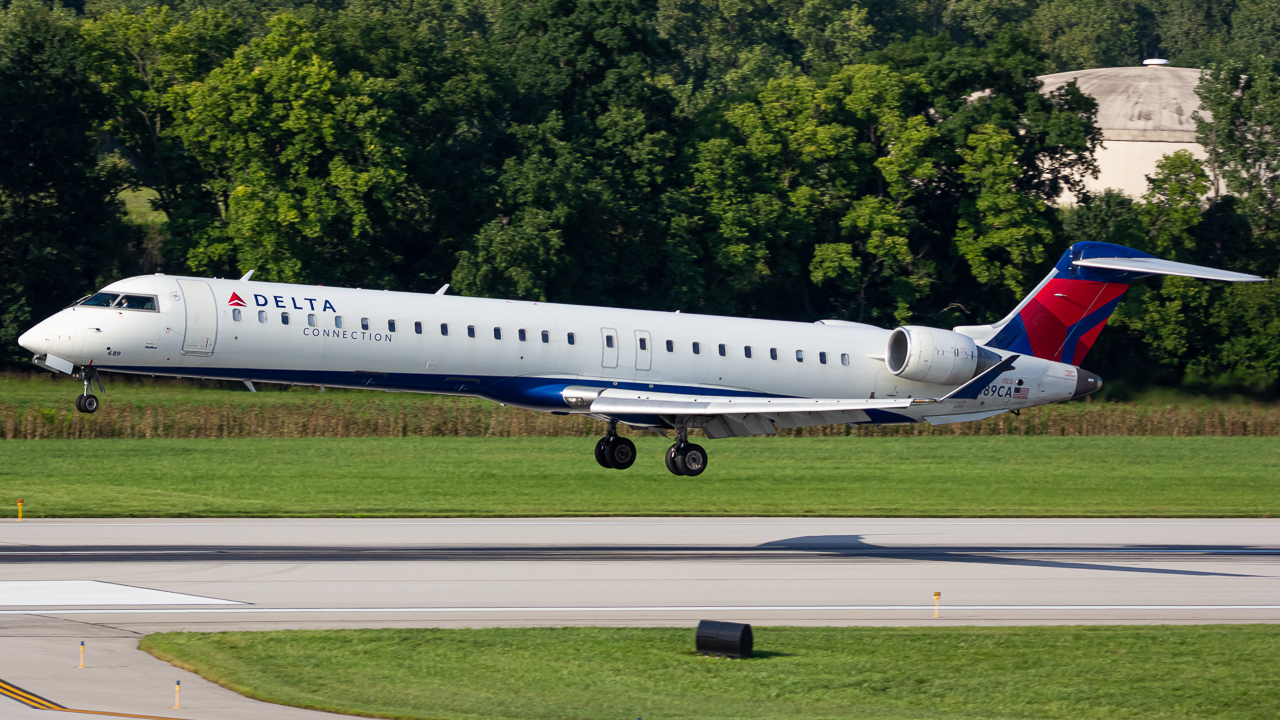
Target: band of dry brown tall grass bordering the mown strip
x: 468, y: 418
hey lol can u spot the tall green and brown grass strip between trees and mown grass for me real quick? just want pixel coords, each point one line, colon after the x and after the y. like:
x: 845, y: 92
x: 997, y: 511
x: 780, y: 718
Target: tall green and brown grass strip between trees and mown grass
x: 42, y: 408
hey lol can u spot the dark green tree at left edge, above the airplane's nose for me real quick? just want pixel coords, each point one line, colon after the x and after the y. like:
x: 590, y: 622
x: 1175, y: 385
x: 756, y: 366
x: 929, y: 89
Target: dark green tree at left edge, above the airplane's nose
x: 61, y: 230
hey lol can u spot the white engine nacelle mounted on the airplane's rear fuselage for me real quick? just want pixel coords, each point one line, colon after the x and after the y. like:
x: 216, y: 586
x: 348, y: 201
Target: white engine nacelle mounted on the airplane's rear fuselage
x: 932, y: 356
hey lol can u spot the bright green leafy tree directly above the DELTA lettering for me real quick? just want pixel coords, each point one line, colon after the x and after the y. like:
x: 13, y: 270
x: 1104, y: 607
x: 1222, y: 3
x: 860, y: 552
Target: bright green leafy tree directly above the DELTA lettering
x: 301, y: 157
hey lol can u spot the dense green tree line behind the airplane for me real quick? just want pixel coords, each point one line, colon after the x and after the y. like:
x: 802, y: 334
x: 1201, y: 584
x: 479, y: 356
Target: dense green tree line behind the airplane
x: 885, y: 162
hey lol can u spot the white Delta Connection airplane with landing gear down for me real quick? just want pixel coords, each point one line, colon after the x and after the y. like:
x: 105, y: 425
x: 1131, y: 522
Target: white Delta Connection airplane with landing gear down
x: 729, y: 377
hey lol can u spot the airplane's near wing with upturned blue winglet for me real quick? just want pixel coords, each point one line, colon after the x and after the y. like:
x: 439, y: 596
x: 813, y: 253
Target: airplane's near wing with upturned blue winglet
x: 735, y: 417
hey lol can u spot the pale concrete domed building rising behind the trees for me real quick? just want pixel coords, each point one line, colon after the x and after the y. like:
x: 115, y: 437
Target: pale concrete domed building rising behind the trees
x: 1145, y: 113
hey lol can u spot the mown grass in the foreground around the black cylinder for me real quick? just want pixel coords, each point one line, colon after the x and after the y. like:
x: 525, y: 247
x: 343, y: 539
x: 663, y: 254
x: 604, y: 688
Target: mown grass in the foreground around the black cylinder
x: 1220, y: 672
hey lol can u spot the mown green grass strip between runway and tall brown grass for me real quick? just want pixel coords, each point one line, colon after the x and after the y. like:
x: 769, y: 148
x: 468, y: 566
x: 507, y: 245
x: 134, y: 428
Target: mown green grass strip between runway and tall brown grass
x: 541, y: 477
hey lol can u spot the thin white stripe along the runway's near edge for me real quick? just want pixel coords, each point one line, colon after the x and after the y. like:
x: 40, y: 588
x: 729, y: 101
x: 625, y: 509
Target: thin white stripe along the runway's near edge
x: 633, y: 609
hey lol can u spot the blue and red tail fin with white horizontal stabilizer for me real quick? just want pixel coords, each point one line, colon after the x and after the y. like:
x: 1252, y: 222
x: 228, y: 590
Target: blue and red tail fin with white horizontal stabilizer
x: 1067, y: 312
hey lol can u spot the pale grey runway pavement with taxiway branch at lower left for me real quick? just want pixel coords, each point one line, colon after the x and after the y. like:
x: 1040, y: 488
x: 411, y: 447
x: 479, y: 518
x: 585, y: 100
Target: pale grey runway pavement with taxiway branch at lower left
x: 109, y: 582
